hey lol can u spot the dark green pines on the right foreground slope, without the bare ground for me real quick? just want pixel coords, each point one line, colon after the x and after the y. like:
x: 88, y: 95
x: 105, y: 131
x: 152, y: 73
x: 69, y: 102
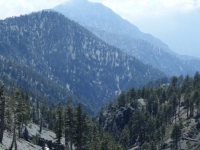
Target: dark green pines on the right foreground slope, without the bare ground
x: 150, y: 115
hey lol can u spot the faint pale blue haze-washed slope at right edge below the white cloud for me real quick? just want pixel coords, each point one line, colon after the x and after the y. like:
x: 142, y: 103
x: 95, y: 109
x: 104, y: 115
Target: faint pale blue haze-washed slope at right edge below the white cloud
x: 180, y: 31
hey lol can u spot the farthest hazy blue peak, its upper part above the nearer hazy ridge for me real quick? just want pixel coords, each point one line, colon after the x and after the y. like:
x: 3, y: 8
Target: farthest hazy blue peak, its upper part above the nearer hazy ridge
x: 96, y: 15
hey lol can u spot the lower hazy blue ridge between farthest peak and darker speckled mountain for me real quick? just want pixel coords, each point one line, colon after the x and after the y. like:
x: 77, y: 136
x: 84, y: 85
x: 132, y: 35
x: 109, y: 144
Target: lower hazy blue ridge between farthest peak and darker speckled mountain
x: 168, y: 62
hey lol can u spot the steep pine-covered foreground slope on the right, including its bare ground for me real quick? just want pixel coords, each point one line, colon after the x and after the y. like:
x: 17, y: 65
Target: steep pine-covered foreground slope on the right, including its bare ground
x: 164, y: 117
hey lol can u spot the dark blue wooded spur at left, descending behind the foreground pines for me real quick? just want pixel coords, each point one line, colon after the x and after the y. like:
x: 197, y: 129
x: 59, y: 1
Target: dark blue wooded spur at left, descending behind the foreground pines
x: 20, y: 76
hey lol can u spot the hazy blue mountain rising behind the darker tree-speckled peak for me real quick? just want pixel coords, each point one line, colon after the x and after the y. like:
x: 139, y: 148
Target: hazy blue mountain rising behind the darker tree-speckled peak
x: 118, y: 32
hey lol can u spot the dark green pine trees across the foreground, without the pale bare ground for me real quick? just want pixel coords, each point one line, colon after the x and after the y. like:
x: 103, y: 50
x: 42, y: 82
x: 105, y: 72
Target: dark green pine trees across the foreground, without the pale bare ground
x: 119, y: 125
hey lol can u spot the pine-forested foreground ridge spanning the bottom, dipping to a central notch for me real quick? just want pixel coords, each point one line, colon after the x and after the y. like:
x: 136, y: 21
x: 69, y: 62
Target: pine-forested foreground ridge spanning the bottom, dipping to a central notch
x: 144, y: 118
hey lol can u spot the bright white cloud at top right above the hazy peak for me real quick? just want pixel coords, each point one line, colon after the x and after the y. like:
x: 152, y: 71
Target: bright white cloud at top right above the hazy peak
x: 145, y: 9
